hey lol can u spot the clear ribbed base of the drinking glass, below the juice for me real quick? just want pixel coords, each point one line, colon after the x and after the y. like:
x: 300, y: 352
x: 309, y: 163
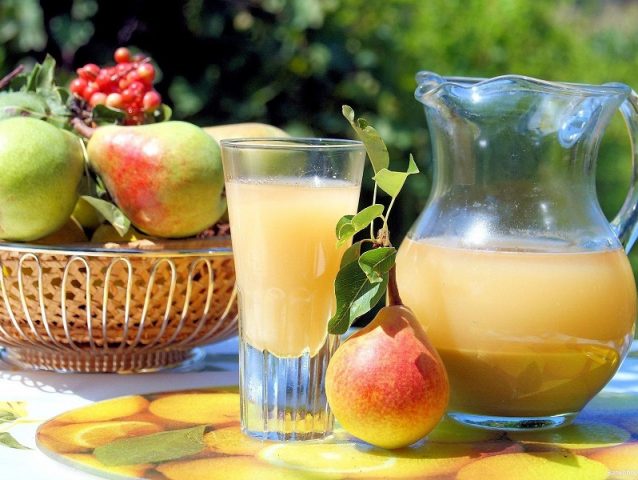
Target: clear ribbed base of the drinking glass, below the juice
x: 284, y: 398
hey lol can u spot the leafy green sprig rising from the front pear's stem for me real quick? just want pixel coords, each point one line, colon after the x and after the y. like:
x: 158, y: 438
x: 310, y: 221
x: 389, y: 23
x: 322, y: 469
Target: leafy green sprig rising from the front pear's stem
x: 365, y: 276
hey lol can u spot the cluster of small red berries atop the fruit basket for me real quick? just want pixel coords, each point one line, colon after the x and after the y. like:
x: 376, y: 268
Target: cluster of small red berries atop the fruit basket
x: 126, y: 86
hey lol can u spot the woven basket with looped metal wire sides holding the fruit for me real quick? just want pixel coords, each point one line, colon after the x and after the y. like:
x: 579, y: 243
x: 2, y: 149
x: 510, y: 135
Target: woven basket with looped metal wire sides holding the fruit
x: 97, y: 309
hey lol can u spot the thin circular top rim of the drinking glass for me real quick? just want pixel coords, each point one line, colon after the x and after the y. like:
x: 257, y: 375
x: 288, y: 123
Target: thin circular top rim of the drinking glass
x: 292, y: 143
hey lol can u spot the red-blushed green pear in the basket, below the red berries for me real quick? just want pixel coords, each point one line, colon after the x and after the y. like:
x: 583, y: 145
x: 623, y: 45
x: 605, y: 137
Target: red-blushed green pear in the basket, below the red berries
x: 166, y: 177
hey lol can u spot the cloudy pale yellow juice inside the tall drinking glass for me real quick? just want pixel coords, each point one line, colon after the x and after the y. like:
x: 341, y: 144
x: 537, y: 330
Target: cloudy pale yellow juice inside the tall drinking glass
x: 286, y: 259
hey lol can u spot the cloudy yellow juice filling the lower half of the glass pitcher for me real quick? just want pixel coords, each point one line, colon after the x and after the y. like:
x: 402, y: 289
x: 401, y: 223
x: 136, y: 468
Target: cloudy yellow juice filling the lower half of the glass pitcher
x: 522, y: 333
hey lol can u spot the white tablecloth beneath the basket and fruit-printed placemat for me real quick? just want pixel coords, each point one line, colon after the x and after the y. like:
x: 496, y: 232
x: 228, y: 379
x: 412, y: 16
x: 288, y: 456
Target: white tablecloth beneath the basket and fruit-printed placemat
x: 42, y: 395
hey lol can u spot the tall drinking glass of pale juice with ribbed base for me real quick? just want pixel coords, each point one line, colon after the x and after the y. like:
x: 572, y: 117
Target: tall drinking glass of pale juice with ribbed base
x: 285, y: 197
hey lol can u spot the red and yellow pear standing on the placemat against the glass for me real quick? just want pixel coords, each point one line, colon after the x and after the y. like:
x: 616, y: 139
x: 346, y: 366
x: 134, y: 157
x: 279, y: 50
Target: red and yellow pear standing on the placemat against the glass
x: 387, y: 384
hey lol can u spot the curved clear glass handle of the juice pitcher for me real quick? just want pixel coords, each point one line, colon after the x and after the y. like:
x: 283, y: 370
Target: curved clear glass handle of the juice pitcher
x: 625, y: 223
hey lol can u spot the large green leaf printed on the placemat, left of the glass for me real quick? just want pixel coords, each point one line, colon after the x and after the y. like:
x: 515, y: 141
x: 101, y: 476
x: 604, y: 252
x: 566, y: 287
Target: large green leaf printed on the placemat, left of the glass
x: 157, y: 447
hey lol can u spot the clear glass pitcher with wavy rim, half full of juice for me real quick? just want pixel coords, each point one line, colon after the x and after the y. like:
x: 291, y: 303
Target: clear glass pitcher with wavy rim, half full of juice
x: 519, y: 280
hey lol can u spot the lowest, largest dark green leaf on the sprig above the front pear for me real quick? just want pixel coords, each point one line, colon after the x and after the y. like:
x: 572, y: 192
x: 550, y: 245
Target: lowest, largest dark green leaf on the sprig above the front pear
x: 356, y: 296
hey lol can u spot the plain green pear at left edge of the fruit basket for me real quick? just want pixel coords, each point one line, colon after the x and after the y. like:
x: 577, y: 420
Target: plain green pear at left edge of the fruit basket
x: 41, y: 166
